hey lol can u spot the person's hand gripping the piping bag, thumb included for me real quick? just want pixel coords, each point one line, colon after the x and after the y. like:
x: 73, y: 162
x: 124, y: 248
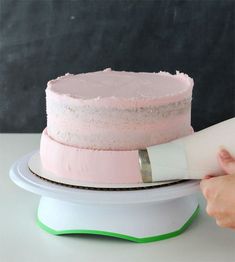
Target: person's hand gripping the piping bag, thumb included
x: 220, y: 192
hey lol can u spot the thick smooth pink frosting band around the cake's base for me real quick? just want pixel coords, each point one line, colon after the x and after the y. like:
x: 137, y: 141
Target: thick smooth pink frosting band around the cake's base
x: 94, y: 166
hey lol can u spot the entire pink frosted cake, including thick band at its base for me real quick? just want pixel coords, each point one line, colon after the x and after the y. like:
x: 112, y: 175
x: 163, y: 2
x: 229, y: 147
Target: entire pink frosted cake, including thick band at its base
x: 97, y: 121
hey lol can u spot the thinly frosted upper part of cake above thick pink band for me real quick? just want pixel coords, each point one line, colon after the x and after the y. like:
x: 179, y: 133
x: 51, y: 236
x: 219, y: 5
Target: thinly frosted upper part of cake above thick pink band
x: 112, y: 110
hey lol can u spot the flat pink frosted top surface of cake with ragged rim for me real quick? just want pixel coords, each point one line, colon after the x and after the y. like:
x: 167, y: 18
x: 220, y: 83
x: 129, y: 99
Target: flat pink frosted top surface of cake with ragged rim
x: 120, y: 85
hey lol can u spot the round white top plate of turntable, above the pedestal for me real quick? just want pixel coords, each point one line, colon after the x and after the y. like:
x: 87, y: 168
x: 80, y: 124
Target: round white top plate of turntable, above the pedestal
x: 25, y: 178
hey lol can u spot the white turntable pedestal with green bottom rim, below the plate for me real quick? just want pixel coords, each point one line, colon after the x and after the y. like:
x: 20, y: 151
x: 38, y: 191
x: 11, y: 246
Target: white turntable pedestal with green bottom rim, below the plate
x: 144, y: 222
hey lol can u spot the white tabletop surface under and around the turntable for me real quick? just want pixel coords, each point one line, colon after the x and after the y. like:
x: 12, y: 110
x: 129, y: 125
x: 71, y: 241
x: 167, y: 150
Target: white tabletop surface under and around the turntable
x: 22, y: 240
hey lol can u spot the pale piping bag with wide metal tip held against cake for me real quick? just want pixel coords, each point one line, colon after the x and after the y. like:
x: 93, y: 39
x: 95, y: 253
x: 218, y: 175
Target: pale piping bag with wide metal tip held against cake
x: 190, y: 157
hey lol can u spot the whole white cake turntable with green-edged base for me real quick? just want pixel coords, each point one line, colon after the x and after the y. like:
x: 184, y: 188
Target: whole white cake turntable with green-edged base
x: 140, y: 213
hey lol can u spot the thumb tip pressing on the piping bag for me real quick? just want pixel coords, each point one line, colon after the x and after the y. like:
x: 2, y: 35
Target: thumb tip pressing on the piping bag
x: 226, y: 161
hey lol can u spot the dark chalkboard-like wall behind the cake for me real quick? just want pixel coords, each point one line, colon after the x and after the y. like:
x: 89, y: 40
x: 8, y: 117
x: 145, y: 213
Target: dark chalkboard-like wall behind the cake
x: 40, y: 40
